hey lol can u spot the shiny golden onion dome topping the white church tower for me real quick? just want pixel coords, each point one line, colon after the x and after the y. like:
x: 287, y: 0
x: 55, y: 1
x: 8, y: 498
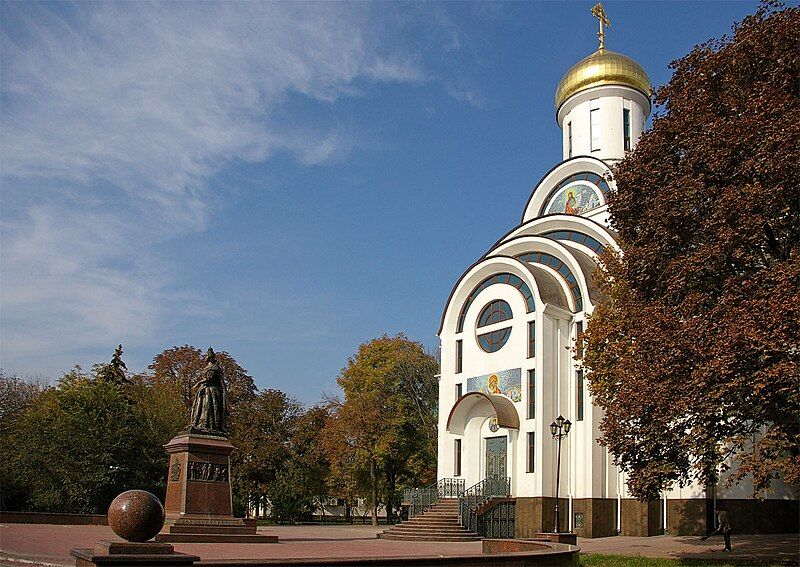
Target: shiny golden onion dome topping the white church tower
x: 603, y: 67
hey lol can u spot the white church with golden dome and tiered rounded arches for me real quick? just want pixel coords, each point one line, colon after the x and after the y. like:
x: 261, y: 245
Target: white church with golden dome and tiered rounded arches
x: 510, y: 364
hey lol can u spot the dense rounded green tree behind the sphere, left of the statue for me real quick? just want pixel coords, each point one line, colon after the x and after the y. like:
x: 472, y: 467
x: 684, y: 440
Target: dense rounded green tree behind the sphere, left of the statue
x: 72, y: 448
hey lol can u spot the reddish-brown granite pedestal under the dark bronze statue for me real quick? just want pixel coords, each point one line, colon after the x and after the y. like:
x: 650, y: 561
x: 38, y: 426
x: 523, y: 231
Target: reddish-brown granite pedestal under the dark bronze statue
x: 199, y: 505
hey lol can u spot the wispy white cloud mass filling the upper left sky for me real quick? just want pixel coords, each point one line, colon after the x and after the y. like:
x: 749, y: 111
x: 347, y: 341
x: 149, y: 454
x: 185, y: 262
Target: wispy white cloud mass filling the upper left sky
x: 114, y: 118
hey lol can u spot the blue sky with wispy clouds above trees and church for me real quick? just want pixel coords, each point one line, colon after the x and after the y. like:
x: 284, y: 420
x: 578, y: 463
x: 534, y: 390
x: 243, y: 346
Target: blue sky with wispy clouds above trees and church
x: 282, y: 181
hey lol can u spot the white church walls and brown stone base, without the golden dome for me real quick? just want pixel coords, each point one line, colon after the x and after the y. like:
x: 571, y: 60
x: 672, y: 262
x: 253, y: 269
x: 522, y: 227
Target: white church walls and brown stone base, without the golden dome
x: 592, y: 489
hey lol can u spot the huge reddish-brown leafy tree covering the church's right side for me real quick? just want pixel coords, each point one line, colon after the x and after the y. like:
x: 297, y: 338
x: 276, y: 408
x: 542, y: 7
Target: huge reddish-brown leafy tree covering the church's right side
x: 694, y: 357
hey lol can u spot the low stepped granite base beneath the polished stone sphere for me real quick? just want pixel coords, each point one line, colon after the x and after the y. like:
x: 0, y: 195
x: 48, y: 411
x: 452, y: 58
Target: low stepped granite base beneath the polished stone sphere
x: 123, y: 553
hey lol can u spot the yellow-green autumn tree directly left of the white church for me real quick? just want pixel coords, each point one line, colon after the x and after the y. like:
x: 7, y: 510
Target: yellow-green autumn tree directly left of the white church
x: 385, y: 422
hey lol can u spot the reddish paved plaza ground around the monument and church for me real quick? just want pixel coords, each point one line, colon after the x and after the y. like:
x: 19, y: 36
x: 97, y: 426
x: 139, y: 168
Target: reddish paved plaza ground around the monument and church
x: 41, y: 544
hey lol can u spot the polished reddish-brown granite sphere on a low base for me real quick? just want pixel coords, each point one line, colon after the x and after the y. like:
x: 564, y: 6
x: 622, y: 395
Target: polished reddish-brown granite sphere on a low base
x: 136, y: 515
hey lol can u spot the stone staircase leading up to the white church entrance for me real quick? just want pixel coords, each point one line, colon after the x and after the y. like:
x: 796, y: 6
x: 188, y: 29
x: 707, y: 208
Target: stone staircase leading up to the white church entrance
x: 437, y: 523
